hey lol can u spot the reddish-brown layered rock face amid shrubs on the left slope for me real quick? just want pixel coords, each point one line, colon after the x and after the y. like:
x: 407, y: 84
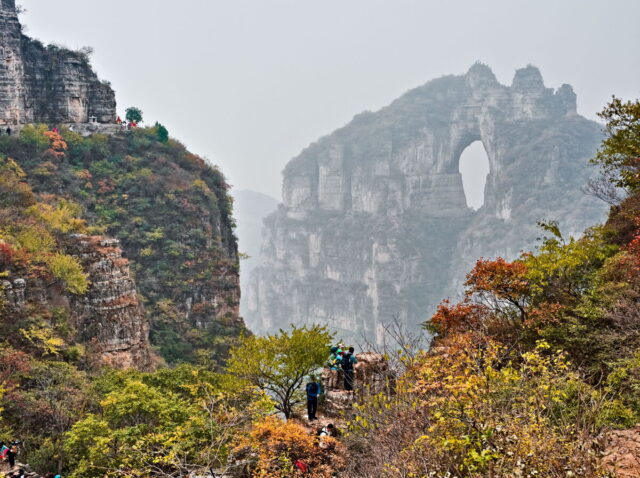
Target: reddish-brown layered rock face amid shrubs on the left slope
x: 108, y: 319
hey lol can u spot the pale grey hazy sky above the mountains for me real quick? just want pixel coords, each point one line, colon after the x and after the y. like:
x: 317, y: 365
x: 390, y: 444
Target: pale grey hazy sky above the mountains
x: 249, y: 83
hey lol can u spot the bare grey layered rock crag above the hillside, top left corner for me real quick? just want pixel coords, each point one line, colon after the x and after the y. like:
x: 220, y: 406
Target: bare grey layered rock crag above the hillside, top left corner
x: 50, y: 84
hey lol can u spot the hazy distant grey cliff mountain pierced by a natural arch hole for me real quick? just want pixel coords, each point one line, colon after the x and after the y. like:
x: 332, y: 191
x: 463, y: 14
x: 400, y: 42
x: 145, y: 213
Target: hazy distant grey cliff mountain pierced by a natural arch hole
x: 375, y: 224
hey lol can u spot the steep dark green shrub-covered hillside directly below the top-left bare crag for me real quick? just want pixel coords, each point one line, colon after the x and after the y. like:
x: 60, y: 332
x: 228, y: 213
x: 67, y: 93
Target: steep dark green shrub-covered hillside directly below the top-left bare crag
x: 173, y: 215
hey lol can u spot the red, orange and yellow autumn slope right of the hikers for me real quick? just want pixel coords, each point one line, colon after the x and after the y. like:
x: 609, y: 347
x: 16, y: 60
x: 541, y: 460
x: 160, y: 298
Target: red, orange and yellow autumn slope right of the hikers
x: 536, y: 363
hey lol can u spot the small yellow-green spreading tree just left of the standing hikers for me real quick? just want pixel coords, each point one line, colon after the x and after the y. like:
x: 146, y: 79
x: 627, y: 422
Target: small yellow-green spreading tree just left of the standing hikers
x: 278, y: 364
